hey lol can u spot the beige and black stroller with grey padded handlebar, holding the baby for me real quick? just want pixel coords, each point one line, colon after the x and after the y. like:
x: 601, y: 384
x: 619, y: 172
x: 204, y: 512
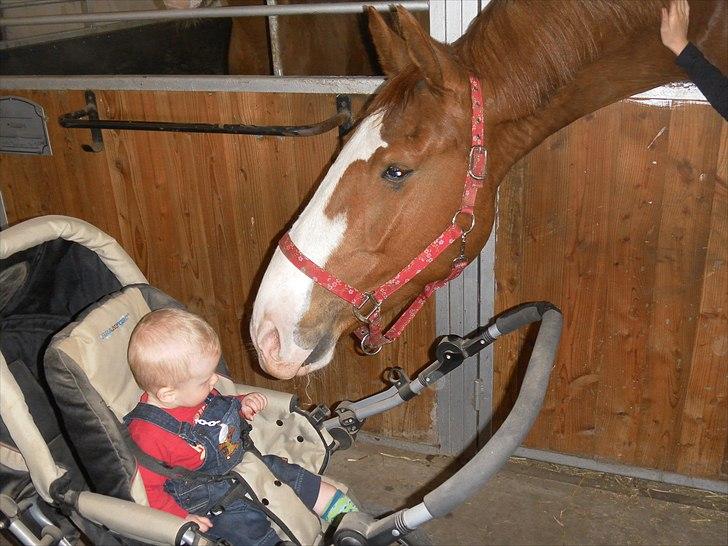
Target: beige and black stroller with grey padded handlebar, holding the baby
x: 69, y: 299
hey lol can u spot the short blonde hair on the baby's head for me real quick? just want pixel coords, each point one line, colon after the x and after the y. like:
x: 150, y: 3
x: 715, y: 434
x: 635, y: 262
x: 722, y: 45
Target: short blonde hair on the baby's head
x: 165, y: 343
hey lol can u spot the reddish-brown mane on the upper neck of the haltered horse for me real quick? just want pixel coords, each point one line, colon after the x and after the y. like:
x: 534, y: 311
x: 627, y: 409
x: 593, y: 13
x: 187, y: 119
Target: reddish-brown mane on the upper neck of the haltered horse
x: 546, y: 43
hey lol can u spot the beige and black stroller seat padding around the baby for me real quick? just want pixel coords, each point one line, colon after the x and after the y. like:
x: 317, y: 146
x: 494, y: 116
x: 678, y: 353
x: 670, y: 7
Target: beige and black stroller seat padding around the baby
x: 89, y: 376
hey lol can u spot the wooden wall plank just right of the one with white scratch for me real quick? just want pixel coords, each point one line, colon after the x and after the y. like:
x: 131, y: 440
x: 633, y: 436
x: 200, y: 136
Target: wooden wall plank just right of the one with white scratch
x: 679, y: 265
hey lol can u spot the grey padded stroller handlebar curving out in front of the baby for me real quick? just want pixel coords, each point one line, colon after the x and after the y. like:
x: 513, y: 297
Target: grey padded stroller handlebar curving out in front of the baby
x: 360, y: 529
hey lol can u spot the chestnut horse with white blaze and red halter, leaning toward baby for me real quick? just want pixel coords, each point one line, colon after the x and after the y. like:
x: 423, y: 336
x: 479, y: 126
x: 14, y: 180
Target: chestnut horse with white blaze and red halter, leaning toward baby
x: 405, y: 180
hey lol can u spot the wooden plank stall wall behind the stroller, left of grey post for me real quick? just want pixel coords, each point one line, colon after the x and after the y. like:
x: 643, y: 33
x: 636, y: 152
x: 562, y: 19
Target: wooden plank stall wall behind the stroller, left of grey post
x: 201, y: 214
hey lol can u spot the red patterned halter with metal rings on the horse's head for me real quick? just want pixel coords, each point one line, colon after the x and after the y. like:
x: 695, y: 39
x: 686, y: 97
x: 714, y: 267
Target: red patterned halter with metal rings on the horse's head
x: 370, y: 332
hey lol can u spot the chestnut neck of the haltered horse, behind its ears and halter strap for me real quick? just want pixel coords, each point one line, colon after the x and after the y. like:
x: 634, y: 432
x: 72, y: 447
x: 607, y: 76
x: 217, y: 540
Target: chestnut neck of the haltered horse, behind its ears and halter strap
x: 550, y: 63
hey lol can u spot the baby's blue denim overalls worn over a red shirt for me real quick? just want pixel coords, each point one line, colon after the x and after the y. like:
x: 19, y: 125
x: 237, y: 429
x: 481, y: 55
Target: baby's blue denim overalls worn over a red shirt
x: 224, y: 433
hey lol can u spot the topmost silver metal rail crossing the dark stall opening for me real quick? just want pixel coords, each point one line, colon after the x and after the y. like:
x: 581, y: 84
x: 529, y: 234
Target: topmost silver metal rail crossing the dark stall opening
x: 200, y: 13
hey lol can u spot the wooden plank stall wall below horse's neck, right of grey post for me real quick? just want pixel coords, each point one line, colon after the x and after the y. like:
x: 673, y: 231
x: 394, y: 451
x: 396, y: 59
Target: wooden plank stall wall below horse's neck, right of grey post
x: 620, y: 220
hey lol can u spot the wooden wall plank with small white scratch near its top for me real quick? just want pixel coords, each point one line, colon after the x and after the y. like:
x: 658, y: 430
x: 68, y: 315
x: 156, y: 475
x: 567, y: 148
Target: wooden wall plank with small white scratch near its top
x: 634, y: 205
